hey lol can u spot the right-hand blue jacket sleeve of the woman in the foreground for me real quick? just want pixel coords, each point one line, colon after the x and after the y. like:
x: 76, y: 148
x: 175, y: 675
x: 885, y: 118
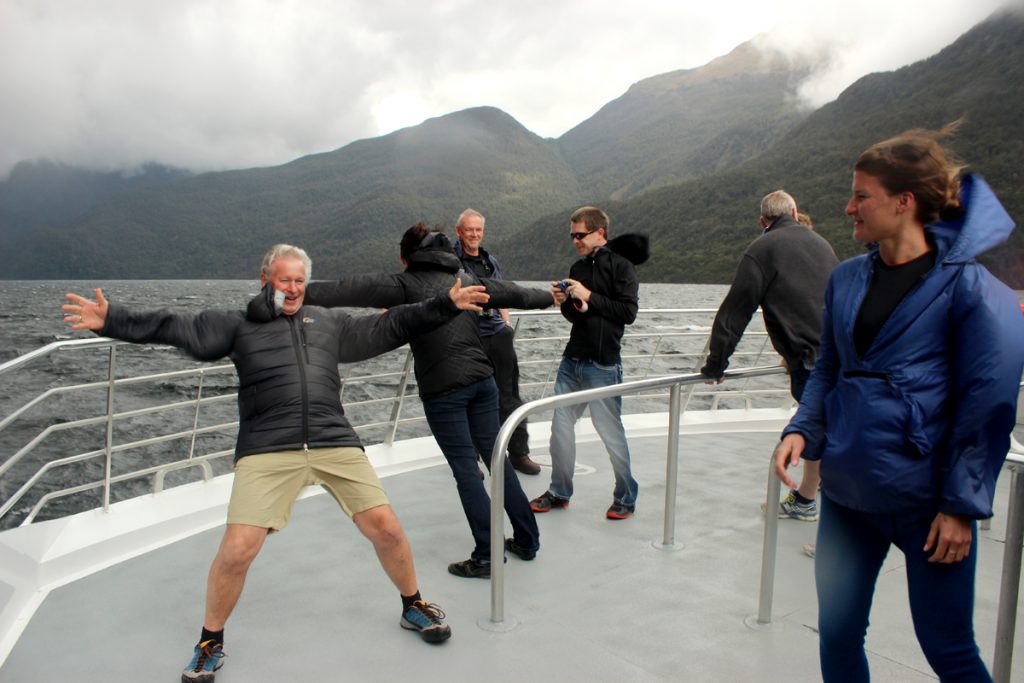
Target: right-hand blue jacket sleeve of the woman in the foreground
x: 989, y: 356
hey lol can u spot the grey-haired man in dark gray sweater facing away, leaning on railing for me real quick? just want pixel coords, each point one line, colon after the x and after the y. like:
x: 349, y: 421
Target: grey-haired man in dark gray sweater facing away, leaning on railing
x: 785, y: 272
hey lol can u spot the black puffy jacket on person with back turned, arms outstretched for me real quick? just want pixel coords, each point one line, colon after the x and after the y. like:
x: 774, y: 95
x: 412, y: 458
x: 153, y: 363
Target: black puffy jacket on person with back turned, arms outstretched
x: 451, y: 357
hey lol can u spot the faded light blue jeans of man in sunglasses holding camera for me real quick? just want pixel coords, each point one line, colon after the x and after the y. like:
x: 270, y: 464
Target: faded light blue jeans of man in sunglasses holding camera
x: 608, y: 418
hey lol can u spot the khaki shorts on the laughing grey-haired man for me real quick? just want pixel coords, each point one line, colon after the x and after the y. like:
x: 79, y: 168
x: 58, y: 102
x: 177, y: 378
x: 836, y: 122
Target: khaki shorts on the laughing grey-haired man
x: 268, y: 484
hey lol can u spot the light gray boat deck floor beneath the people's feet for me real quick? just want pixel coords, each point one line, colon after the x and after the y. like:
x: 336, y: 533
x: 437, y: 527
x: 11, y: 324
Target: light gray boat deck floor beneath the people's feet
x: 601, y: 604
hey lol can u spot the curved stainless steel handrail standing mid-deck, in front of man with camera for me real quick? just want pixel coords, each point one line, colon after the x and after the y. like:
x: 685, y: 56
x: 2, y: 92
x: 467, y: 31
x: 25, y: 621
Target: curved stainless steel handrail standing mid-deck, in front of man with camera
x: 673, y: 383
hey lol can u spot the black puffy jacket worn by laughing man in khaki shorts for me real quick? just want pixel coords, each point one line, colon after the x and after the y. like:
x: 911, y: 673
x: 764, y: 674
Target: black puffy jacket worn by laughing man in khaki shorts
x: 288, y: 368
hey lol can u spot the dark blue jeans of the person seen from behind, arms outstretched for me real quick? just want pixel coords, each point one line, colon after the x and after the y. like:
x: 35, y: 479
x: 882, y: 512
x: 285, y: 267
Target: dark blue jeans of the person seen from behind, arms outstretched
x: 465, y: 422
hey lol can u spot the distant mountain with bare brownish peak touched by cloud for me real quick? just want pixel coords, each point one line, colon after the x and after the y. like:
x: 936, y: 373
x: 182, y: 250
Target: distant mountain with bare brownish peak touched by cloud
x: 688, y: 124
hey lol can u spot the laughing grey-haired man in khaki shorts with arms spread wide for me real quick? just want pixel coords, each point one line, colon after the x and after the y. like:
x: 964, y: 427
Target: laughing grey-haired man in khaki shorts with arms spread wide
x: 292, y: 430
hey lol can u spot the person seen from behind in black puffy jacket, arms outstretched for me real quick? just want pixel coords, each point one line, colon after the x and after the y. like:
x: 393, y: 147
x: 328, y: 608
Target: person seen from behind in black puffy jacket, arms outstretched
x: 454, y: 377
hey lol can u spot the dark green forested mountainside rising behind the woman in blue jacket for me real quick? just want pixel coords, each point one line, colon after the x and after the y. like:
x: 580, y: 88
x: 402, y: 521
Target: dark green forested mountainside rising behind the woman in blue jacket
x: 700, y: 229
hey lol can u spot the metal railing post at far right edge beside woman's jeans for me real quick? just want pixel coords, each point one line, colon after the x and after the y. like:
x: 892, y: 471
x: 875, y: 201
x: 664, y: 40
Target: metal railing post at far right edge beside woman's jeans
x: 1006, y: 620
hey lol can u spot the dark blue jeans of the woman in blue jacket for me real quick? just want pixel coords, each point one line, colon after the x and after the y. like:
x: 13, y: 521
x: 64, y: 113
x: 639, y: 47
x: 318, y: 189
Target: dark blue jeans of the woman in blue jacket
x: 850, y: 549
